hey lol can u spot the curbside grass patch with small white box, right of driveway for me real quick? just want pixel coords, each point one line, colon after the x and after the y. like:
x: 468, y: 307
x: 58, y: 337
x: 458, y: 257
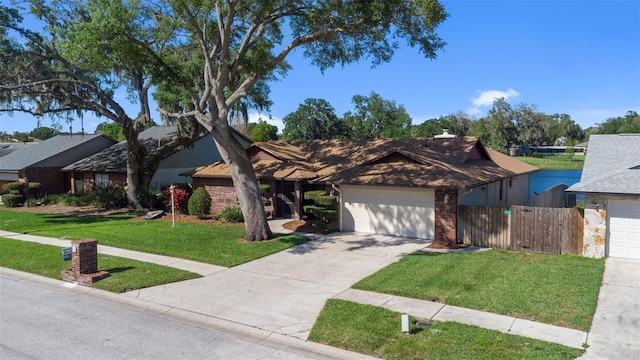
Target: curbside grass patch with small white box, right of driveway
x: 376, y: 331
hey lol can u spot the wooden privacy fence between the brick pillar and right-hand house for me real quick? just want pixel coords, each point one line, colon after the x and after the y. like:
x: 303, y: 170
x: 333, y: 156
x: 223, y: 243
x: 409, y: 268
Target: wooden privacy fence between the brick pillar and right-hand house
x: 522, y: 228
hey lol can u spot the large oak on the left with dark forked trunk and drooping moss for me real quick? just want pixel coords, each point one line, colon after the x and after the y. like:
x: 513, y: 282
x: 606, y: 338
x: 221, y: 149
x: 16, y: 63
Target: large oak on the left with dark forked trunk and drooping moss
x: 79, y: 56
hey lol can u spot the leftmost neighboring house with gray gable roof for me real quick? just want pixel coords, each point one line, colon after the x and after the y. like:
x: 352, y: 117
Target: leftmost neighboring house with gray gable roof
x: 42, y: 162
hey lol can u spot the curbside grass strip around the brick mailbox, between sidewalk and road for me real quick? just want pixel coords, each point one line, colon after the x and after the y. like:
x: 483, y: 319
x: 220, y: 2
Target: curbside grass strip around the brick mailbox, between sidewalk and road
x: 125, y: 274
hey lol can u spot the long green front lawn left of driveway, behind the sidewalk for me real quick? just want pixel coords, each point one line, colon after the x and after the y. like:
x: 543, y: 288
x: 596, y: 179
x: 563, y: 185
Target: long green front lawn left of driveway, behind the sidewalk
x: 213, y: 244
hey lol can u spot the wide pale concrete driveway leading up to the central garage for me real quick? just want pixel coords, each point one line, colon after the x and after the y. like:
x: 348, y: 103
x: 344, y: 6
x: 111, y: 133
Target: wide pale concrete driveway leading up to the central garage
x: 292, y: 285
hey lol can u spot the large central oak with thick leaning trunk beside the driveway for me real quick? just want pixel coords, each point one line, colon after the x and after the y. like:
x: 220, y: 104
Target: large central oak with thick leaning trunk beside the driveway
x: 243, y: 43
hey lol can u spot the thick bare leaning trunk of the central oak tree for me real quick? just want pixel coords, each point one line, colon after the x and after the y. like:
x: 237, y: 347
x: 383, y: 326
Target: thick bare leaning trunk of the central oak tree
x: 245, y: 184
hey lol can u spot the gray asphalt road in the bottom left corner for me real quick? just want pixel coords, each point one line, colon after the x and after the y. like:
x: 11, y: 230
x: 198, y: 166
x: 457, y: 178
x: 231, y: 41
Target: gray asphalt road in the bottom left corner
x: 40, y: 321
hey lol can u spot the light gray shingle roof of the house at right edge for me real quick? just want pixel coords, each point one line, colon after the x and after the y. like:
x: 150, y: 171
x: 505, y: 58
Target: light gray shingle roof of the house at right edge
x: 612, y: 165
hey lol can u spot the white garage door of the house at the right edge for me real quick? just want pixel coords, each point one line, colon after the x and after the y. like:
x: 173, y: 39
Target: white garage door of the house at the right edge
x: 624, y: 228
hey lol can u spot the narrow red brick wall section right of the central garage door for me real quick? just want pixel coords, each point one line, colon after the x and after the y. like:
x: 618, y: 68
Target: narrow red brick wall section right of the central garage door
x: 446, y: 214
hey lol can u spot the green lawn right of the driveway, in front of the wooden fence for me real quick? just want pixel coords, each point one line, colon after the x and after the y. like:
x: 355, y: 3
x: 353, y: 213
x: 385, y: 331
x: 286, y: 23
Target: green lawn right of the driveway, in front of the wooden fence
x: 561, y: 290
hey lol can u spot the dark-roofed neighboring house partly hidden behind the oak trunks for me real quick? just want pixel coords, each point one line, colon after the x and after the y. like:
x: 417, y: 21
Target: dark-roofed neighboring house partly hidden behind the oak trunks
x: 109, y: 167
